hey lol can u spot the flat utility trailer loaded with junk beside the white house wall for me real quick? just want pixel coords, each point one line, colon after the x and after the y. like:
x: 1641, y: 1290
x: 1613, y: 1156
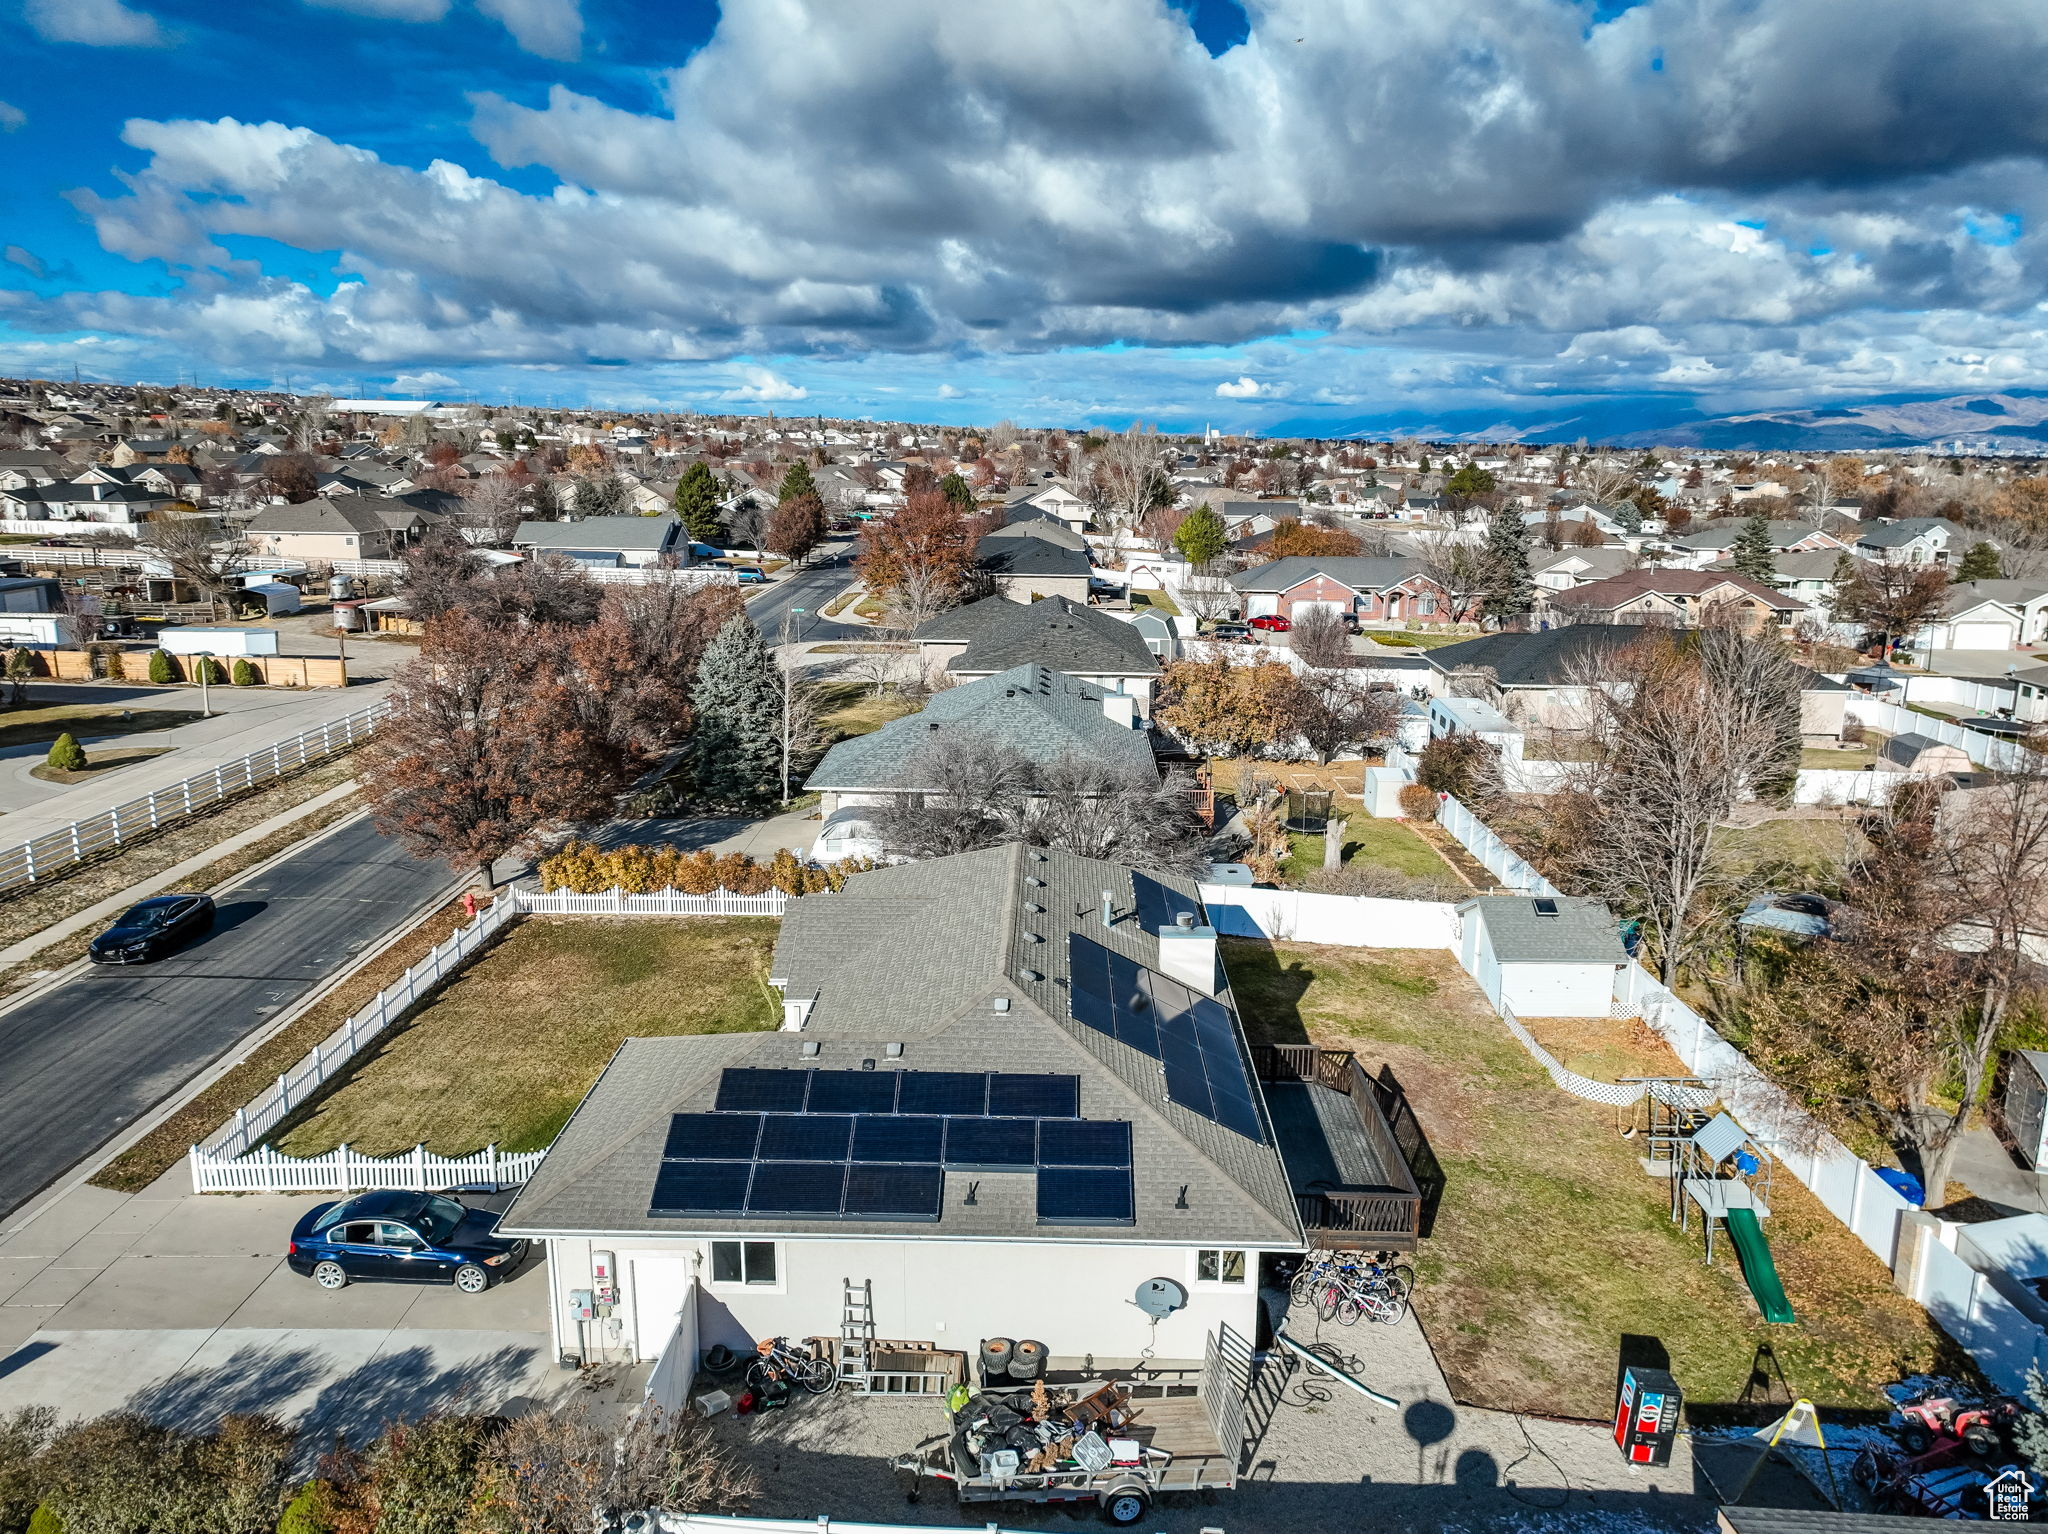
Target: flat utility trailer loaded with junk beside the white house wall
x: 1189, y: 1431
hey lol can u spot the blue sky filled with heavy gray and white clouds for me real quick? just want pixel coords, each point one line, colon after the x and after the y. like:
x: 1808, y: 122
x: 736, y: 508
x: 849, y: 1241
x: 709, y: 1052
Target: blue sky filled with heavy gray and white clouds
x: 1279, y: 216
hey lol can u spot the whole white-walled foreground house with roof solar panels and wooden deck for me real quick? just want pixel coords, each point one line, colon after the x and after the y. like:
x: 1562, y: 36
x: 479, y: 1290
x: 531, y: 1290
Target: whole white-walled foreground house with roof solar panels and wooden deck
x: 1009, y: 1091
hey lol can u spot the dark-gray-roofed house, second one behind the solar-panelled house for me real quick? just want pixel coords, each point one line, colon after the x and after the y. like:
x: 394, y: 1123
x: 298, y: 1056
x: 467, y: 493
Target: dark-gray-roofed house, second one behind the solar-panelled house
x: 1070, y: 638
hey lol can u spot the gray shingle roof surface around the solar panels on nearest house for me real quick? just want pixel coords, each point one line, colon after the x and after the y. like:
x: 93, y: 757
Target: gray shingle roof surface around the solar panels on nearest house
x: 914, y: 955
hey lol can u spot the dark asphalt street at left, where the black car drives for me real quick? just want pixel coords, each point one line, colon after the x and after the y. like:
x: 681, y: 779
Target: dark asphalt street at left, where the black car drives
x: 81, y: 1062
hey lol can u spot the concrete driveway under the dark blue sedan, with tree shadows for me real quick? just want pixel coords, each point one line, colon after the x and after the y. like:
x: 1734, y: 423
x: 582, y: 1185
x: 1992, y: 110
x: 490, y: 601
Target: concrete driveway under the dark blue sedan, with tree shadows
x: 181, y: 1308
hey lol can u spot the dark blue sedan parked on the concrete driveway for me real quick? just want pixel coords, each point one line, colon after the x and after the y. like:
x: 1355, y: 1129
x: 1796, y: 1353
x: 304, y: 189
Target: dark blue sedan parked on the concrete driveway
x: 402, y: 1238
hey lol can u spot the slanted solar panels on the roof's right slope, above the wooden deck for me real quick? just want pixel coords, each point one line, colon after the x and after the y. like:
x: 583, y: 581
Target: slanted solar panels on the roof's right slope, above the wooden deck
x: 1189, y: 1035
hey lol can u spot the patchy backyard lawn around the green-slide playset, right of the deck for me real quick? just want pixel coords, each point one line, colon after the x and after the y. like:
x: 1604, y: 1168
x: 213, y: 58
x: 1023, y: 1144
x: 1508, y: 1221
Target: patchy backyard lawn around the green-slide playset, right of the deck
x: 1551, y: 1244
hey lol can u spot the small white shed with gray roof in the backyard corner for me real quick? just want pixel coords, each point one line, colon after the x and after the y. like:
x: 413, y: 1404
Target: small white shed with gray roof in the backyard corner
x: 1543, y: 955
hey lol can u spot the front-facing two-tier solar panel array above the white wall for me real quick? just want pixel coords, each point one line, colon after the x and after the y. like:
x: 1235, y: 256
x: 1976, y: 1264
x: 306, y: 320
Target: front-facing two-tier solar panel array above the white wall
x: 820, y: 1146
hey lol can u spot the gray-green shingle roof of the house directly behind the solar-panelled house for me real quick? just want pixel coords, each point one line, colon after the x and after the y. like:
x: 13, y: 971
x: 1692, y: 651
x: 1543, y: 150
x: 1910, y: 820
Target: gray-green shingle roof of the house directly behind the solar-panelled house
x: 1035, y: 712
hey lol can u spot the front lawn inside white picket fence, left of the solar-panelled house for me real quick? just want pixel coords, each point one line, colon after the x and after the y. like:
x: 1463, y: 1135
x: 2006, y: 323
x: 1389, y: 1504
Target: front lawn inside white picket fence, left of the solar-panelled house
x: 513, y: 1046
